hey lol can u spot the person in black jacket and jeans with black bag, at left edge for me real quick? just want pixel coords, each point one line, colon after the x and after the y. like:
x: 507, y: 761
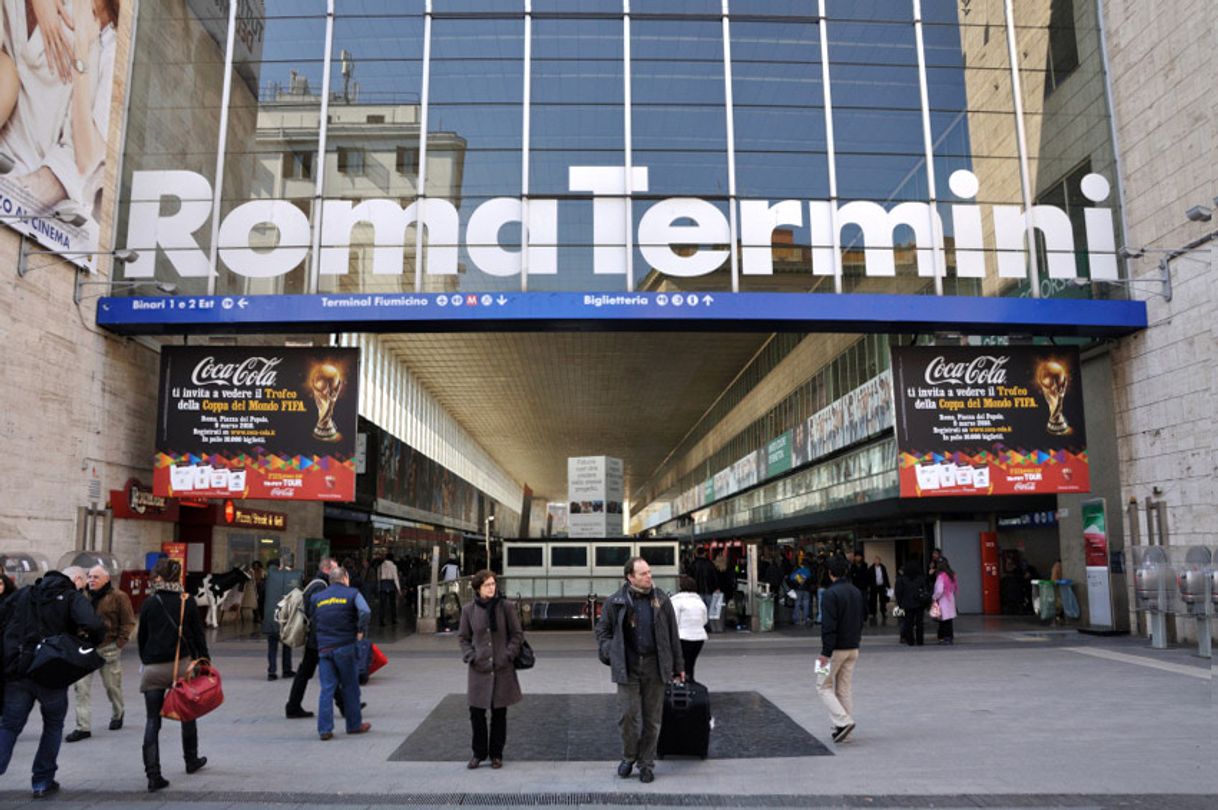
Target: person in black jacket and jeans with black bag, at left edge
x: 48, y: 608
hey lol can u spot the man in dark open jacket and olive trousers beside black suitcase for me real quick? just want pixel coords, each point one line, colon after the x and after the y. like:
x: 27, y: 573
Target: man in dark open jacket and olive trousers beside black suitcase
x: 638, y: 639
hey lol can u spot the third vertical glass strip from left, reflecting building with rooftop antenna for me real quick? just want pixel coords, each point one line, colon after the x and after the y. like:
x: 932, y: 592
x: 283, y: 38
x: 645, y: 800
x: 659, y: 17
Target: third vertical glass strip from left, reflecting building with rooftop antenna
x: 373, y: 144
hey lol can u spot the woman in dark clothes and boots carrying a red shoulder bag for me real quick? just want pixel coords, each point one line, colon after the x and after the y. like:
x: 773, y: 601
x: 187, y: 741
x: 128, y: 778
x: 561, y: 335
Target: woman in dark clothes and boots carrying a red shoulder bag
x: 169, y: 618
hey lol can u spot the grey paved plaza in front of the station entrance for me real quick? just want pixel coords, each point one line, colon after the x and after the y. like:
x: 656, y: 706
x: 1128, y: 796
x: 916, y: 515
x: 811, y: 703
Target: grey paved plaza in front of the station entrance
x: 1013, y: 716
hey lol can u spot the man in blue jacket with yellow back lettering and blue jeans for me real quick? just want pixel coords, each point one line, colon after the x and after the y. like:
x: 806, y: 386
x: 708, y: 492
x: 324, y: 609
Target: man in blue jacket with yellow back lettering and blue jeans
x: 339, y: 616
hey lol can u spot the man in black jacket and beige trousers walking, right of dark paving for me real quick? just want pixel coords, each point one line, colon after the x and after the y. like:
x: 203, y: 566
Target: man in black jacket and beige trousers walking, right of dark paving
x: 841, y: 633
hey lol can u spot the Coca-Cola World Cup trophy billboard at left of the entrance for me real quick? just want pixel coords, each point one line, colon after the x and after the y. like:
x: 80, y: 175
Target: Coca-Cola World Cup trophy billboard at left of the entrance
x: 258, y: 423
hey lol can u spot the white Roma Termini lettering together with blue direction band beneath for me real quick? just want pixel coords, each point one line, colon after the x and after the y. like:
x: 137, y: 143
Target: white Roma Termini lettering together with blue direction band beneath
x: 679, y: 237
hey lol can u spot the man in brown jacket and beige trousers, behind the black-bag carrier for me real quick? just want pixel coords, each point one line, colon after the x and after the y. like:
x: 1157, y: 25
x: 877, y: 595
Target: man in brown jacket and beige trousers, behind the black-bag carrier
x: 115, y: 610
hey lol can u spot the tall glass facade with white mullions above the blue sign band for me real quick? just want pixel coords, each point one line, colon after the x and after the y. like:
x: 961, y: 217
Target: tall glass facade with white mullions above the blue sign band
x: 601, y: 146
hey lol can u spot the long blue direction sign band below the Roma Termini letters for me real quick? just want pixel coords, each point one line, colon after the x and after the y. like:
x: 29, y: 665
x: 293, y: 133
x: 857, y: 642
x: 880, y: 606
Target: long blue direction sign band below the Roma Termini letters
x: 420, y: 312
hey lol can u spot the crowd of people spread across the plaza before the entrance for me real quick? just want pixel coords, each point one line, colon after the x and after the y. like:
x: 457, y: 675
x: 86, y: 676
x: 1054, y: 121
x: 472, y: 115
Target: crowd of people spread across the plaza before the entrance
x: 647, y: 638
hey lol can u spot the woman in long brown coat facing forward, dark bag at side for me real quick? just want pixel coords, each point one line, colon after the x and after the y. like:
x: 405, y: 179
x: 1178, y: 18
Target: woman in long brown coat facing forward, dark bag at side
x: 490, y: 639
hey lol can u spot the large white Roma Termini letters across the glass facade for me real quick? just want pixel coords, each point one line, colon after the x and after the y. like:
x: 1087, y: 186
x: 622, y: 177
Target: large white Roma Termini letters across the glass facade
x: 667, y: 231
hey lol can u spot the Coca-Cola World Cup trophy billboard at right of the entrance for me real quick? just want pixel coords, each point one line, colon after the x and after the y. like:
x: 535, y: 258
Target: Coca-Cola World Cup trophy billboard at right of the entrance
x: 990, y: 421
